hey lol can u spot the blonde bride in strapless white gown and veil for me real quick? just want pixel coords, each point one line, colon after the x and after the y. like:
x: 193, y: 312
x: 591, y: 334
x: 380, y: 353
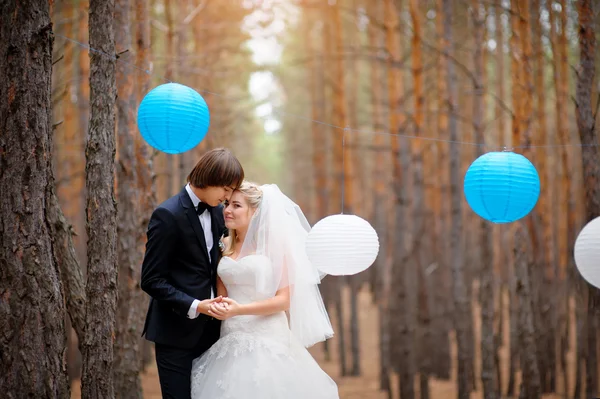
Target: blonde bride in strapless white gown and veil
x: 272, y: 308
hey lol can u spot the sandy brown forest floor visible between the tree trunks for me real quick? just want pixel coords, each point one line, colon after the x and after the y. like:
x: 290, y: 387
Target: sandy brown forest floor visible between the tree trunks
x: 367, y: 385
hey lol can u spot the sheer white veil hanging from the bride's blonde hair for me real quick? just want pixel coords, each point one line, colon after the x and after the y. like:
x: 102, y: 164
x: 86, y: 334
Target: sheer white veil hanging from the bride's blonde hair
x: 278, y: 230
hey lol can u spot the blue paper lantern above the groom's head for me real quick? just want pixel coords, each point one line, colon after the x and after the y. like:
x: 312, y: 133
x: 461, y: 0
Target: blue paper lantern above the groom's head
x: 173, y: 118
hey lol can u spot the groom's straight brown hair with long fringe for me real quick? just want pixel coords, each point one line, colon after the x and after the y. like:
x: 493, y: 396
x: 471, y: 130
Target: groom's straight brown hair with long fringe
x: 217, y: 168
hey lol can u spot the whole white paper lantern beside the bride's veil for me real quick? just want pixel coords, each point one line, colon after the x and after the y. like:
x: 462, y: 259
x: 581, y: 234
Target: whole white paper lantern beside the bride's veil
x: 342, y: 245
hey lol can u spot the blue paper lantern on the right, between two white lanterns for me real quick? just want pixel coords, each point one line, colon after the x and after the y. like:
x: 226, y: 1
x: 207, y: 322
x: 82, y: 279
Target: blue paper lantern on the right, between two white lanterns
x: 502, y: 187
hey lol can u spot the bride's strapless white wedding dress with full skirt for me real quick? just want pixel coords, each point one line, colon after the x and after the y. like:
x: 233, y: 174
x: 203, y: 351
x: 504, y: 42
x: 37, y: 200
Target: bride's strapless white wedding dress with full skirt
x: 257, y: 357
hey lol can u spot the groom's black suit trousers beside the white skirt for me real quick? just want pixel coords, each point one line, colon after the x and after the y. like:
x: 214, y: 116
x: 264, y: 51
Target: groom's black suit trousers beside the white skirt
x: 175, y: 364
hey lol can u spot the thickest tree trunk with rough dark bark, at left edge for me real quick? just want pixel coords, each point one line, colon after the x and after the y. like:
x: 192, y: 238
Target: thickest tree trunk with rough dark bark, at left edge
x: 32, y: 310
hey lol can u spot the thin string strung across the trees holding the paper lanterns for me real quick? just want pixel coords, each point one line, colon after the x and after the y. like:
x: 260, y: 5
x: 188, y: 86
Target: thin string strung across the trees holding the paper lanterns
x: 344, y: 129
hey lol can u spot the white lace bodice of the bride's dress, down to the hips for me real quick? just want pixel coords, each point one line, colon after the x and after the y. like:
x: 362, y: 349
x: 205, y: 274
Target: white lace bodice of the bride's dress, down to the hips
x: 240, y: 277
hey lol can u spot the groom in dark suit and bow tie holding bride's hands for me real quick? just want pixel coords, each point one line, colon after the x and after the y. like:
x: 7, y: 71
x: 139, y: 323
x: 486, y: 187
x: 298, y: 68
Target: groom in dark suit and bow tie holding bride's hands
x: 179, y: 271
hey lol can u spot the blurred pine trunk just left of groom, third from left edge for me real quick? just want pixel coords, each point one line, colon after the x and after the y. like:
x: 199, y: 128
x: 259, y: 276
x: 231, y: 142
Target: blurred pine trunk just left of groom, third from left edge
x: 129, y: 323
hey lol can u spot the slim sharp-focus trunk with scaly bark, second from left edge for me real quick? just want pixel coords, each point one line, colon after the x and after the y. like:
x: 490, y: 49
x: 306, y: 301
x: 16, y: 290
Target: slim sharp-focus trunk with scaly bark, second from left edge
x: 101, y: 287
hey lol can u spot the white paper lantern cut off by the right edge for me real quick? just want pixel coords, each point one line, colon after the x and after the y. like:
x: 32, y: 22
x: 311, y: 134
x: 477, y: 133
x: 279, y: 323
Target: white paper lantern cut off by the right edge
x: 587, y: 252
